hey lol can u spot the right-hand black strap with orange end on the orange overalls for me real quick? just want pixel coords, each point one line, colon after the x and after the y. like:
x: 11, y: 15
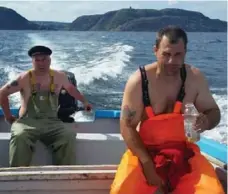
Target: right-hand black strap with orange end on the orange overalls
x: 181, y: 94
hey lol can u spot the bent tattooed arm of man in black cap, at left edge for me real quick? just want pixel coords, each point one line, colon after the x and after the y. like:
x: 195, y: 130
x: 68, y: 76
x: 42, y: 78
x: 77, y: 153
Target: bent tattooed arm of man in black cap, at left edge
x: 9, y: 88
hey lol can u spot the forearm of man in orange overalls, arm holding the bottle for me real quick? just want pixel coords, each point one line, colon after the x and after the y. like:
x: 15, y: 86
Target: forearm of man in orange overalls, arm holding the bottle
x: 214, y: 117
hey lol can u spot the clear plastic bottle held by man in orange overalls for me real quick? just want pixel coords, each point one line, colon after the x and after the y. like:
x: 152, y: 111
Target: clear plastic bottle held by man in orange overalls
x: 190, y: 115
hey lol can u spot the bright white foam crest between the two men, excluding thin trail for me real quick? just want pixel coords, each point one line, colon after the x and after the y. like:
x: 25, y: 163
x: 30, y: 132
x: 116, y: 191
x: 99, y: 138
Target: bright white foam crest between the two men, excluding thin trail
x: 104, y: 66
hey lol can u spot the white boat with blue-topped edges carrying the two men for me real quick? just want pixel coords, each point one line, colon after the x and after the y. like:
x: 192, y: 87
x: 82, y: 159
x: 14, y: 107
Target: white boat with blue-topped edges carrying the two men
x: 99, y: 148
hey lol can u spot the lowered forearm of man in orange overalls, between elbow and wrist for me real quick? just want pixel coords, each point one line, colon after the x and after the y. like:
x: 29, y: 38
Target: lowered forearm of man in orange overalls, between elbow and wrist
x: 135, y: 144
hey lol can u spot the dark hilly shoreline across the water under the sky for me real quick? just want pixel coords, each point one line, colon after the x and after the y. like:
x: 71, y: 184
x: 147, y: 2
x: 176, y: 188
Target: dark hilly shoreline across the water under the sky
x: 123, y: 20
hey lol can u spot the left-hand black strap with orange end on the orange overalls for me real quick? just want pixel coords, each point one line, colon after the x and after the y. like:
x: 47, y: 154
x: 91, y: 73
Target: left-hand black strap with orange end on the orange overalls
x: 145, y: 92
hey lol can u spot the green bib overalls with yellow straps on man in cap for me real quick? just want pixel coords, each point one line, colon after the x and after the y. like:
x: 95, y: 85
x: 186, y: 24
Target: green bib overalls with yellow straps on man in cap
x: 41, y: 123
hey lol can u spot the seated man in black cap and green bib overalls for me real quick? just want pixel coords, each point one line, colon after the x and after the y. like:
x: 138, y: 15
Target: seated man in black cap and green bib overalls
x: 39, y: 89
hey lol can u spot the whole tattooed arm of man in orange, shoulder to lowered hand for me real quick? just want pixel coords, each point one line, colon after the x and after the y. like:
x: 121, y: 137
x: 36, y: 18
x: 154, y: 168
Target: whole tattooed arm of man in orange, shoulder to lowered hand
x: 131, y: 113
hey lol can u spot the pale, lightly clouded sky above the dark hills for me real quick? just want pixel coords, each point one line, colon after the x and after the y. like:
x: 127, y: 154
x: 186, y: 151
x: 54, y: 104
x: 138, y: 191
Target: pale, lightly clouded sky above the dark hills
x: 67, y: 11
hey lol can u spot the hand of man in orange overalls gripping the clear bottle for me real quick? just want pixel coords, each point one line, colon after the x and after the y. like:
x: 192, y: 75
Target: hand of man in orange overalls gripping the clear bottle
x: 202, y: 123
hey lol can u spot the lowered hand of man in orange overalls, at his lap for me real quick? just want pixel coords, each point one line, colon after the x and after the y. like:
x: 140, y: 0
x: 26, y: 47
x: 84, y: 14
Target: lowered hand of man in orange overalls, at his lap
x: 150, y: 174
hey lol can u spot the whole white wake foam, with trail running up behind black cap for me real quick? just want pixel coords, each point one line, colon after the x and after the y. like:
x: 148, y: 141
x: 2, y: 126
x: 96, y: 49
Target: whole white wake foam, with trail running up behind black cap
x: 109, y: 61
